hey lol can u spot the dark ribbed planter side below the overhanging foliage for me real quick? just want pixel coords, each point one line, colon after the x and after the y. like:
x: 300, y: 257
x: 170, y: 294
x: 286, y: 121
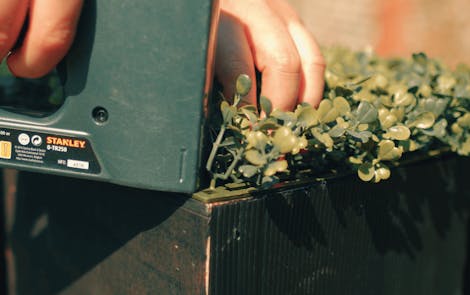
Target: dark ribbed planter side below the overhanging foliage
x: 402, y: 236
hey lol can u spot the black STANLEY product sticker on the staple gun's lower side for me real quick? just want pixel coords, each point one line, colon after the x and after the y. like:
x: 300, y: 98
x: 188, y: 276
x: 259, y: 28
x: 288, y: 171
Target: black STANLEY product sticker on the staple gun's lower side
x: 48, y: 150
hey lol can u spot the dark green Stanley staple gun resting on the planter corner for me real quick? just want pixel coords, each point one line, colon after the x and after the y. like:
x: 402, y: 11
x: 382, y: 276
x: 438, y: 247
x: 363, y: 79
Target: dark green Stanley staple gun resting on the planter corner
x: 135, y: 84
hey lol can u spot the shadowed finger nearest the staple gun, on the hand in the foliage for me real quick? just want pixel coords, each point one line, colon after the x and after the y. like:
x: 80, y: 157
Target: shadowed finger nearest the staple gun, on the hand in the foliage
x: 233, y: 56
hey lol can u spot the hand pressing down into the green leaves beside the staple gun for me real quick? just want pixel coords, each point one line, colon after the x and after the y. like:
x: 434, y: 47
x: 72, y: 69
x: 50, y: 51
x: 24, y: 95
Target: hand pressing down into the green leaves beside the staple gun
x: 269, y: 35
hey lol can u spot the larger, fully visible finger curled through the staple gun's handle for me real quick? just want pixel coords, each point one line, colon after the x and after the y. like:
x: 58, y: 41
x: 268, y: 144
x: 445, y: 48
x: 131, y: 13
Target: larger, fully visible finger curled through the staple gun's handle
x: 51, y: 30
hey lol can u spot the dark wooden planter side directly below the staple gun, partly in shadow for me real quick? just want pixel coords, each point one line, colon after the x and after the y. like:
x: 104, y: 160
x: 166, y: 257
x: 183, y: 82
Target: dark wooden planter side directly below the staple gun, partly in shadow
x: 84, y: 237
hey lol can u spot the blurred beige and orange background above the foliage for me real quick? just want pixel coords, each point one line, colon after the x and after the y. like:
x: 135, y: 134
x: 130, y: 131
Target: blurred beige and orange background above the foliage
x: 441, y: 29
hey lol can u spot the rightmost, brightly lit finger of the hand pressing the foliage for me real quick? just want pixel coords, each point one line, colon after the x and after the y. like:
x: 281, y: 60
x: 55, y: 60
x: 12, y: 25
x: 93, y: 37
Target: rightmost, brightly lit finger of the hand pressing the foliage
x: 312, y: 61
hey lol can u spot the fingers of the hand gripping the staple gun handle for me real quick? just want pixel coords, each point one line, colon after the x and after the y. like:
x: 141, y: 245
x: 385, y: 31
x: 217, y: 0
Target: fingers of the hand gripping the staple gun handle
x: 49, y: 34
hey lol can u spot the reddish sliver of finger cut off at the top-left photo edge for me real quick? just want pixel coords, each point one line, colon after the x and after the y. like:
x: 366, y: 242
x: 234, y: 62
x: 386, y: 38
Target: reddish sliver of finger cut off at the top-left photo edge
x: 12, y: 16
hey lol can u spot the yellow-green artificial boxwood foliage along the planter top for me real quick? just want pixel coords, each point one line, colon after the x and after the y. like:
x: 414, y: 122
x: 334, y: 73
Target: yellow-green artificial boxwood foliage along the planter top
x: 374, y: 112
